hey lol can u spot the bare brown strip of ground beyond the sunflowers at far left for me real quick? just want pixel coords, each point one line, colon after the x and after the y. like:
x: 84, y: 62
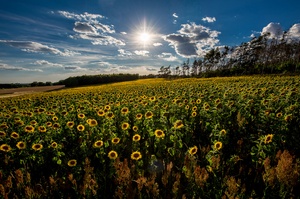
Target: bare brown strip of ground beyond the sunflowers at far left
x: 12, y: 92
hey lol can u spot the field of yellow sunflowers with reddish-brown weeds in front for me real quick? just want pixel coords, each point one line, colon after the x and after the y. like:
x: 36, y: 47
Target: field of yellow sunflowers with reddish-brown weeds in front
x: 233, y: 137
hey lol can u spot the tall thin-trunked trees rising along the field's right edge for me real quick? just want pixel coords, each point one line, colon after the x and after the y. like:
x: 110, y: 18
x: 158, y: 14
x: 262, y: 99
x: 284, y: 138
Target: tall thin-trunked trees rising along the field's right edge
x: 261, y: 55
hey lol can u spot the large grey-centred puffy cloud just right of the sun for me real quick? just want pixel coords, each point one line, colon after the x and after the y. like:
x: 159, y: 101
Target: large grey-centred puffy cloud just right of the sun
x: 192, y: 40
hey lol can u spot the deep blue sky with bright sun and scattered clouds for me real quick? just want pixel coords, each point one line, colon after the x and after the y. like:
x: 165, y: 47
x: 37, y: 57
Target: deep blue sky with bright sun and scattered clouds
x: 51, y: 40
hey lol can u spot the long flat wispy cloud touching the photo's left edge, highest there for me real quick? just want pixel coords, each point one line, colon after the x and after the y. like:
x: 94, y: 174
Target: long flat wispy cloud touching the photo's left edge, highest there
x: 30, y: 46
